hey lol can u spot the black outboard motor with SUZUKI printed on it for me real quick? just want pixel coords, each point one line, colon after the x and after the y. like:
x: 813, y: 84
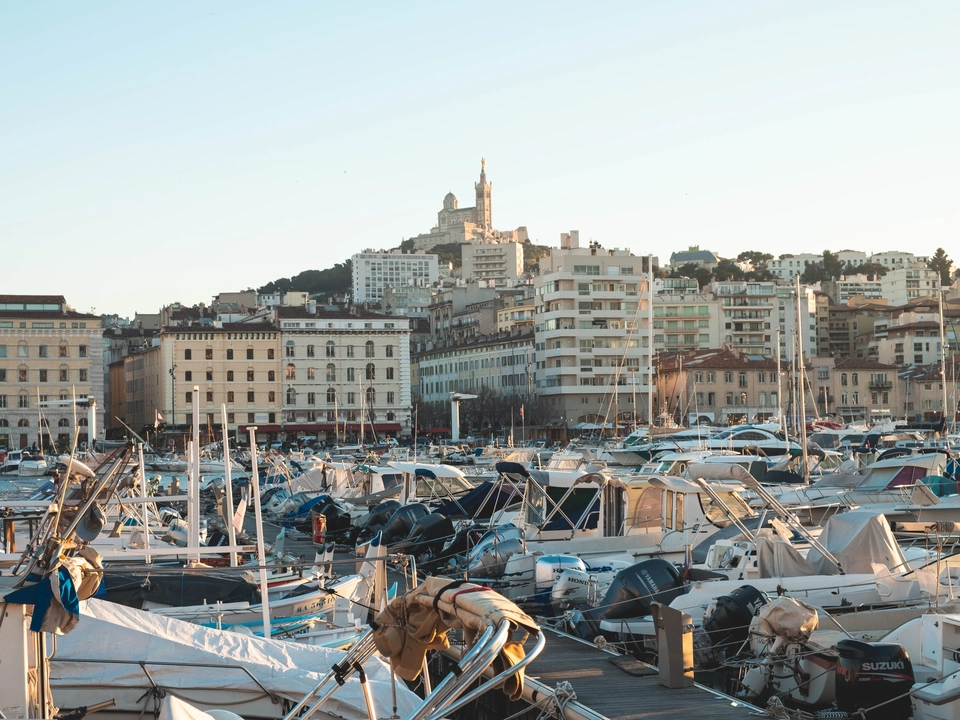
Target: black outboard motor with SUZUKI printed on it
x: 872, y: 673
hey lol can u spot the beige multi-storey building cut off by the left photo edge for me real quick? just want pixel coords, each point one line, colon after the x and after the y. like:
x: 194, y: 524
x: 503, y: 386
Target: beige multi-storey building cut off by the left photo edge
x: 49, y: 353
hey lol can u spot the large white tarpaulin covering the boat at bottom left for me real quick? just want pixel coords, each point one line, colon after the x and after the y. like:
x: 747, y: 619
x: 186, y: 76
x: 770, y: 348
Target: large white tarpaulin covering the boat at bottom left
x: 113, y: 632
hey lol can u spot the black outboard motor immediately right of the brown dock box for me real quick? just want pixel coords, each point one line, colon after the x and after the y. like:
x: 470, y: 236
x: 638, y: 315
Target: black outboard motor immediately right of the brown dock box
x: 724, y: 632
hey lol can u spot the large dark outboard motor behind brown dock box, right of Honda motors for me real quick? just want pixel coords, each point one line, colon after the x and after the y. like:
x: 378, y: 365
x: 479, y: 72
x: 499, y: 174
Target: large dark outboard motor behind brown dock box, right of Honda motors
x: 631, y: 594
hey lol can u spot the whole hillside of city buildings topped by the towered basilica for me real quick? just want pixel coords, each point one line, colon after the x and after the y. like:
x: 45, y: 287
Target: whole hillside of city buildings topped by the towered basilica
x: 547, y: 338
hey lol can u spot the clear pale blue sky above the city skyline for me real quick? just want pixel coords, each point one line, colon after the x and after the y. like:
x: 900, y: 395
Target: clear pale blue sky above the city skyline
x: 155, y: 152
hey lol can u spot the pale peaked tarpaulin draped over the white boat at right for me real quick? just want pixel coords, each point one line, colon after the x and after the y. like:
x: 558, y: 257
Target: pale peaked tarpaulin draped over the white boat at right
x: 857, y: 539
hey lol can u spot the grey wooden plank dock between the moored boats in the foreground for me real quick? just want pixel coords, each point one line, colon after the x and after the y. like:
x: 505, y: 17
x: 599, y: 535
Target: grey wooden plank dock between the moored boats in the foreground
x: 618, y: 687
